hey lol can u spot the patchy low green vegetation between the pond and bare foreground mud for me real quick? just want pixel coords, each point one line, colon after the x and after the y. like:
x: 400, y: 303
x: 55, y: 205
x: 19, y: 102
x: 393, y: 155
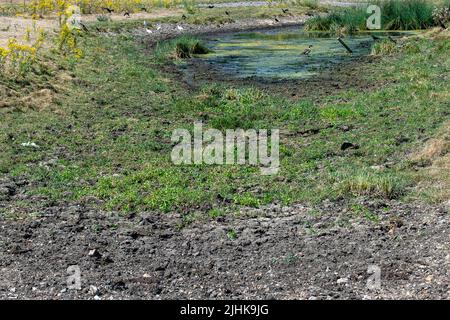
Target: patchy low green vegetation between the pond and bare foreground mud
x: 108, y: 135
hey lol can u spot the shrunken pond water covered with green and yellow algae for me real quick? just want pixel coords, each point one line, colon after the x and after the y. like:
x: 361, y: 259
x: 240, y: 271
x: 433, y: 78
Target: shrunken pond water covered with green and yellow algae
x: 277, y: 54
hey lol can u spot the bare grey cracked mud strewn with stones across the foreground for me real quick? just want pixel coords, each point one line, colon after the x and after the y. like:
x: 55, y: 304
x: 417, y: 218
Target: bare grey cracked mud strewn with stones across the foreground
x: 270, y: 253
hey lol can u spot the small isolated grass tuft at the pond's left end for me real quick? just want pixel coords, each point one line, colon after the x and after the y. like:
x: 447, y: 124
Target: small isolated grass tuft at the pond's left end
x: 180, y: 48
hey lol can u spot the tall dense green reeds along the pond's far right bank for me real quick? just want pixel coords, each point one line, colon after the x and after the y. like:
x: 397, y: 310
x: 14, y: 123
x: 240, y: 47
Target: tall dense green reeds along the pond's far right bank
x: 395, y: 15
